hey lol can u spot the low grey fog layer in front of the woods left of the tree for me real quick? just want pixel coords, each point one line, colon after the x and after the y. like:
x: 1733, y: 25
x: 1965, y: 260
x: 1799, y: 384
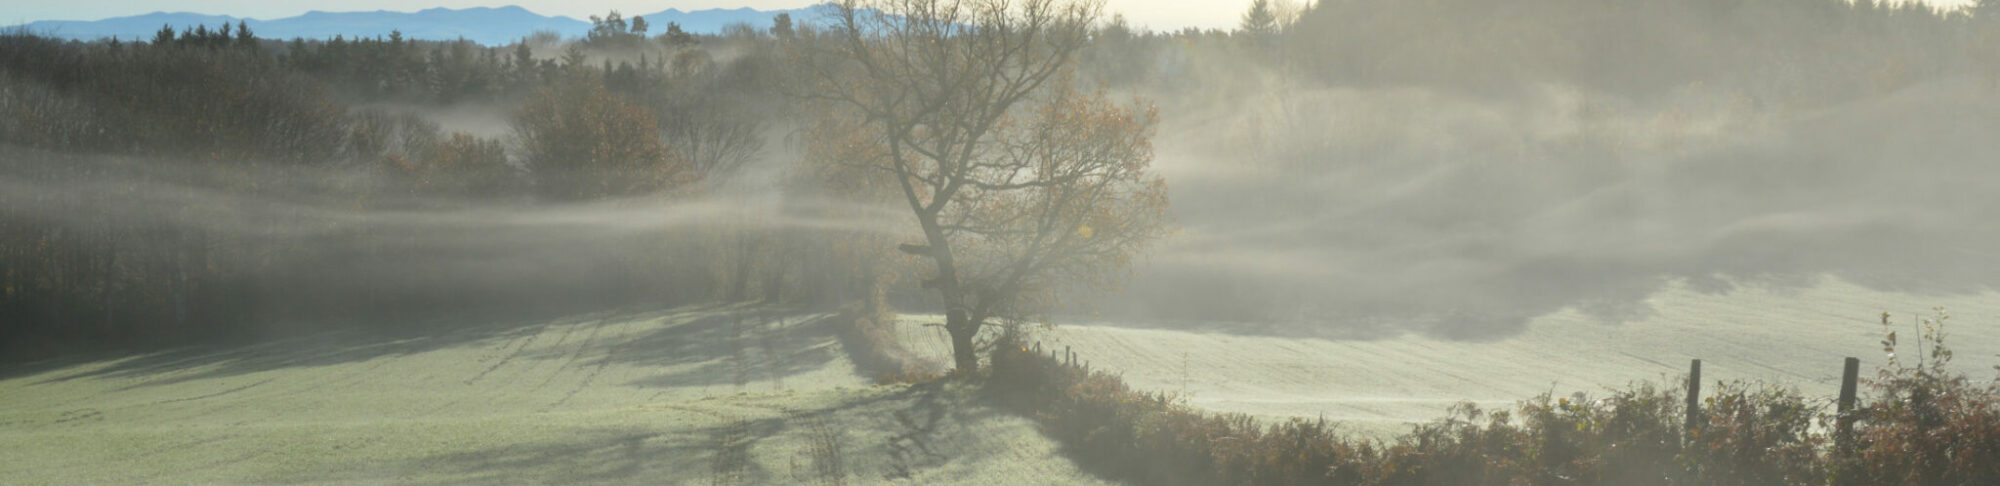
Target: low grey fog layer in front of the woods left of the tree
x: 247, y: 253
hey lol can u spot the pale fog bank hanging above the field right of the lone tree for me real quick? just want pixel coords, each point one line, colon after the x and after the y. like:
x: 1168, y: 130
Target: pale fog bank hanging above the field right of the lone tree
x: 1369, y: 213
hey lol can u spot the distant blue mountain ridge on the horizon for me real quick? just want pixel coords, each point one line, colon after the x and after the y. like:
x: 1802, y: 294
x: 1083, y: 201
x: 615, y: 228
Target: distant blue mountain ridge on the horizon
x: 487, y: 25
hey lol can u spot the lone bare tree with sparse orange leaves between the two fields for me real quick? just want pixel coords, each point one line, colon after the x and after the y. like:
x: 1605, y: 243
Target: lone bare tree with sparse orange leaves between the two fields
x: 1017, y: 181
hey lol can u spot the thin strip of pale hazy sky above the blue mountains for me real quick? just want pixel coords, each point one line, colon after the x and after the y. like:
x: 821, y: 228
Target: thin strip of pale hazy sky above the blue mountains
x: 1151, y: 13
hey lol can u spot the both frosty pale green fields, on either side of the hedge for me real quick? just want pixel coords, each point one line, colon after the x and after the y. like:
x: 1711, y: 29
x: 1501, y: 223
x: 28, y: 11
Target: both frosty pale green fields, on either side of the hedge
x: 759, y: 397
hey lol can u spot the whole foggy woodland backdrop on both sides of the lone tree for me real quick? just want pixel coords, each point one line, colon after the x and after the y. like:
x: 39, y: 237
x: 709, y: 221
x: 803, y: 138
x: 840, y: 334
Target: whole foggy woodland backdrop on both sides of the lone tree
x: 1355, y: 171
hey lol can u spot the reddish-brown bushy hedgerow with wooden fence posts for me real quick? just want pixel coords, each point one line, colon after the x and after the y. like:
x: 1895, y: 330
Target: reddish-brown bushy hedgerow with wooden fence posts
x: 1923, y: 427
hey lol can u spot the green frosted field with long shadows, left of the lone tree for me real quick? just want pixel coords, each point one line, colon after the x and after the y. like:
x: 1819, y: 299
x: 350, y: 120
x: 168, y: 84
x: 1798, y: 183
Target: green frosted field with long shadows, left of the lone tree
x: 679, y: 397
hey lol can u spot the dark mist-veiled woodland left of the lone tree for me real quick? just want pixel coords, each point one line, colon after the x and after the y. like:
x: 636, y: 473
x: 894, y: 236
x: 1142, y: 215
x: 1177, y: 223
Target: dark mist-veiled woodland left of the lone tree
x: 209, y: 187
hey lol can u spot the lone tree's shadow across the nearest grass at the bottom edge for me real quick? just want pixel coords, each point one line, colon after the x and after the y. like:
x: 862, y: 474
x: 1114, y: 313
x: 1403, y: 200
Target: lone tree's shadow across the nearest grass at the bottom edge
x: 913, y: 433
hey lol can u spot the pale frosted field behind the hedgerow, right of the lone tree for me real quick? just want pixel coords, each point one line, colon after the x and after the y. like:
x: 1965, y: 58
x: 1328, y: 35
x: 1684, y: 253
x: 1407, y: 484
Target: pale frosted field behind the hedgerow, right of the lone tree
x: 1791, y: 337
